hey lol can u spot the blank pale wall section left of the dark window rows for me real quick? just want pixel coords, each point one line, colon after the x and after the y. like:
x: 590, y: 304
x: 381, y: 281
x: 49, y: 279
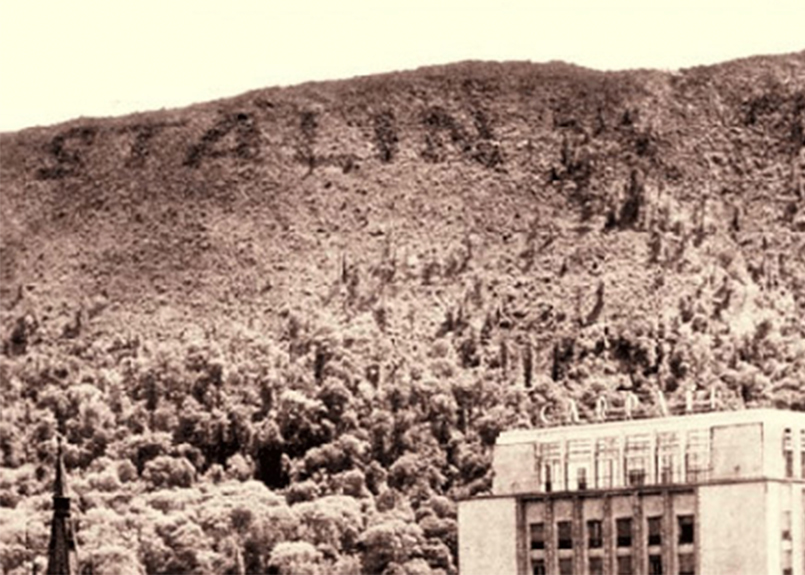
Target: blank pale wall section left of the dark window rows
x: 488, y: 536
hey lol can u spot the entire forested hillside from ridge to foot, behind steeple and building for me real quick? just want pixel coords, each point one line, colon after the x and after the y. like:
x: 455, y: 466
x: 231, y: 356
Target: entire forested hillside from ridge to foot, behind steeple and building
x: 281, y: 332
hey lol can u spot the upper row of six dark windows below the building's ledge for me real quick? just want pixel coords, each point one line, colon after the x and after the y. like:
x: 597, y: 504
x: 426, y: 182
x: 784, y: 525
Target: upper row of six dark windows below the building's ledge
x: 624, y: 530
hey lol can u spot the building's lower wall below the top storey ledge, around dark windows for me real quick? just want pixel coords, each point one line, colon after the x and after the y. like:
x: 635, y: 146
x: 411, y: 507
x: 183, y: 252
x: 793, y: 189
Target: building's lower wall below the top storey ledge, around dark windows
x: 740, y: 528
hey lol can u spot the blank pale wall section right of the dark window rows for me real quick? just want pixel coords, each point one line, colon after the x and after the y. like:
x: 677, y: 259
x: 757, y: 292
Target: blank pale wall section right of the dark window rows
x: 734, y: 529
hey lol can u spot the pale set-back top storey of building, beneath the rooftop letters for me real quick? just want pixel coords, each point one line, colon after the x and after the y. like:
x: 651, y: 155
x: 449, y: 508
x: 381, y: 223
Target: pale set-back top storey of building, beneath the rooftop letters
x: 717, y: 446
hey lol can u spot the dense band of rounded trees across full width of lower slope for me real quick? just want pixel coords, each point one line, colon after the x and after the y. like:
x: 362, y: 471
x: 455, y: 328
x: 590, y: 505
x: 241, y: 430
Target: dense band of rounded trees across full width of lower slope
x: 308, y: 453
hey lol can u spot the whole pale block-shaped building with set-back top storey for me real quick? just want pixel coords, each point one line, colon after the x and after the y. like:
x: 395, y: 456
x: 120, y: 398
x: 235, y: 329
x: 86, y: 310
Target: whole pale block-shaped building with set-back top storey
x: 705, y: 494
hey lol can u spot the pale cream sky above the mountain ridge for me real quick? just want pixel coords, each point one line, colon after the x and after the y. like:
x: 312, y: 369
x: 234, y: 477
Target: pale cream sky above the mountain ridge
x: 68, y: 58
